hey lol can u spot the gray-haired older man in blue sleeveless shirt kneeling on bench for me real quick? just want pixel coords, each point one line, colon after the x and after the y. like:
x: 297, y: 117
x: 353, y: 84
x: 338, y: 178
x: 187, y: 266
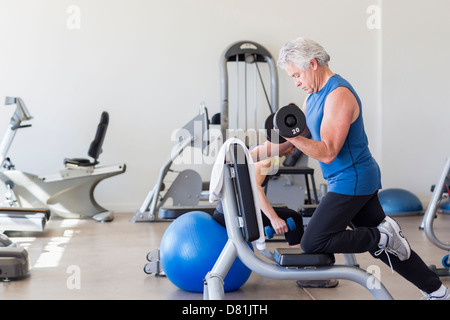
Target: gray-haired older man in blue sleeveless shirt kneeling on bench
x: 334, y: 117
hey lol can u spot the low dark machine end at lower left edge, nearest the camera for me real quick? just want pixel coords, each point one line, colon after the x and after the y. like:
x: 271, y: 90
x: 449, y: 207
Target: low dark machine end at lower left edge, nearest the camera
x: 14, y: 262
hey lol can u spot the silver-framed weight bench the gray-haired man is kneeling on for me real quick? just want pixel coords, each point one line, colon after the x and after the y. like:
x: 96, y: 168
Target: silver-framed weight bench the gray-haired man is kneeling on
x: 244, y: 225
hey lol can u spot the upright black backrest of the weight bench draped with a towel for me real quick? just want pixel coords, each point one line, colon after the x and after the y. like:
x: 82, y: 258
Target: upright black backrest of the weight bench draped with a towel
x: 244, y: 193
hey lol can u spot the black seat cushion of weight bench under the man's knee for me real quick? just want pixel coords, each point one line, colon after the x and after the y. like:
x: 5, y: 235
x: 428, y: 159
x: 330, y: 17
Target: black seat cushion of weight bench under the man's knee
x: 295, y: 257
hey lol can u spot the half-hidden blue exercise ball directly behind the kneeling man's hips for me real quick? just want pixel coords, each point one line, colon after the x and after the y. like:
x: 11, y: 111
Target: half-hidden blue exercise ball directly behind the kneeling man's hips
x: 400, y: 202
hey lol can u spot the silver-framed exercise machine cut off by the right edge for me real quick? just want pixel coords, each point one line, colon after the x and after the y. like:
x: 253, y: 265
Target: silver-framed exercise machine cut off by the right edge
x: 440, y: 198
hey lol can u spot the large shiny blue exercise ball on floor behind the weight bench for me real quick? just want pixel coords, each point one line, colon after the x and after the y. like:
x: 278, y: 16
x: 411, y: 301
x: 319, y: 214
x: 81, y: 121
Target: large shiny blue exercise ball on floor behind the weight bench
x: 189, y: 249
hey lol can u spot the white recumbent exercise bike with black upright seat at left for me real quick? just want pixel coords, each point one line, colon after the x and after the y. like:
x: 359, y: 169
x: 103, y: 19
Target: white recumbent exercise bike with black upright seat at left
x: 67, y: 194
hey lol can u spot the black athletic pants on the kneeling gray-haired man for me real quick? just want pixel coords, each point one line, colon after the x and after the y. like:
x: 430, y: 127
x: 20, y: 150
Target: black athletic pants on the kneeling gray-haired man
x: 327, y: 233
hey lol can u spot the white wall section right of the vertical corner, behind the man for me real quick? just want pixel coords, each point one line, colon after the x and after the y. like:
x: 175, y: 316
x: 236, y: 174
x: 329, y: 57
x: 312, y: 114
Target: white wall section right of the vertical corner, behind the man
x: 416, y: 92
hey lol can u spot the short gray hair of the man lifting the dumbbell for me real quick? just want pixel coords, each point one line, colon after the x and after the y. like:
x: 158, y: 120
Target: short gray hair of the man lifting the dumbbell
x: 300, y: 52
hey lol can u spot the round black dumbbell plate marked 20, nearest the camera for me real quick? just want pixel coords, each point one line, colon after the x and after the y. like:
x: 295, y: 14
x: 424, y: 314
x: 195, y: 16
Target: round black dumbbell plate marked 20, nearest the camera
x: 289, y: 121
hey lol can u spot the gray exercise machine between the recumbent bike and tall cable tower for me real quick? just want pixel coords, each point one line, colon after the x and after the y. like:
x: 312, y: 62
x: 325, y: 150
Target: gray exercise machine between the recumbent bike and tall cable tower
x: 186, y: 190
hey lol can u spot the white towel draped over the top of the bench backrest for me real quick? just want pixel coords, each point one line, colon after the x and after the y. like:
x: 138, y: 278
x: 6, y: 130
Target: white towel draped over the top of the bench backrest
x: 216, y: 183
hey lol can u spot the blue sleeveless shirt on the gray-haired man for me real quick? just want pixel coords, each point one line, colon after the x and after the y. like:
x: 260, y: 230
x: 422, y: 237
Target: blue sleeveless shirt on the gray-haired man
x: 354, y: 171
